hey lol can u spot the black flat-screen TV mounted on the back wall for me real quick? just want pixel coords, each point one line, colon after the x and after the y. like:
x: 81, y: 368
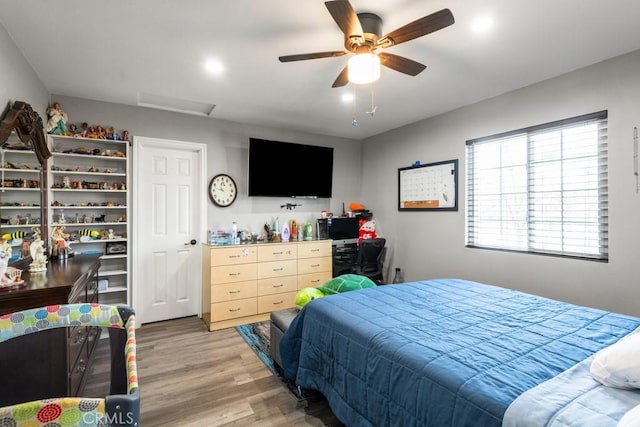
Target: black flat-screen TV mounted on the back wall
x: 284, y: 169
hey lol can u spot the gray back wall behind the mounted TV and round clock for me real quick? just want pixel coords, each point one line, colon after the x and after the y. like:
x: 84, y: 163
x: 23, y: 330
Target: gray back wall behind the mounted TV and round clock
x: 227, y: 151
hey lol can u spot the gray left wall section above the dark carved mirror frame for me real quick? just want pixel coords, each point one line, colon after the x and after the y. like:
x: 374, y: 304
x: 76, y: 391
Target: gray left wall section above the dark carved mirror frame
x: 18, y: 81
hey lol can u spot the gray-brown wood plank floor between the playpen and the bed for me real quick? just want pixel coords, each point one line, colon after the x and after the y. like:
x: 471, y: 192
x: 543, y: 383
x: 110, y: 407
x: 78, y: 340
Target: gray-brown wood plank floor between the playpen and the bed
x: 191, y: 377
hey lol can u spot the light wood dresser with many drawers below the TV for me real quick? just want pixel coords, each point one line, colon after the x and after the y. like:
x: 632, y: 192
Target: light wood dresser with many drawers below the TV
x: 245, y: 283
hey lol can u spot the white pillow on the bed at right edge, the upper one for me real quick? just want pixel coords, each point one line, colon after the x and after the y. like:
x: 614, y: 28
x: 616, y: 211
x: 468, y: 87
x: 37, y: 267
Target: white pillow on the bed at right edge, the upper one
x: 619, y: 364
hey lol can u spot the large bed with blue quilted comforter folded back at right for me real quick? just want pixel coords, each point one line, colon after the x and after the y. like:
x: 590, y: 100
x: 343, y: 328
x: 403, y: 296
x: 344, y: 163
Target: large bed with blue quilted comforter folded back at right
x: 452, y: 352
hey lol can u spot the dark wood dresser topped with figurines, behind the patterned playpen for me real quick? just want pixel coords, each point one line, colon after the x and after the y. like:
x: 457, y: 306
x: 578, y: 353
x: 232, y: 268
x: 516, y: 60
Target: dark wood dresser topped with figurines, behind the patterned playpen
x: 50, y: 363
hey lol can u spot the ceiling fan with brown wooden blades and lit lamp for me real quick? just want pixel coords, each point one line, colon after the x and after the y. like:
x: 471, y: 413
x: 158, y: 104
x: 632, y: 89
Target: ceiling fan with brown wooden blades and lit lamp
x: 362, y: 35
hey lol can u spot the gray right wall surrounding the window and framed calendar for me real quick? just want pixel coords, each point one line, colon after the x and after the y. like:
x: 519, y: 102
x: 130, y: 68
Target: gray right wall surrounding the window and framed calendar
x: 432, y: 244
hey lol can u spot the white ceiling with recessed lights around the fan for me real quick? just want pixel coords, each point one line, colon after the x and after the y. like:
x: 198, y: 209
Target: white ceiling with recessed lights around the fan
x: 122, y: 50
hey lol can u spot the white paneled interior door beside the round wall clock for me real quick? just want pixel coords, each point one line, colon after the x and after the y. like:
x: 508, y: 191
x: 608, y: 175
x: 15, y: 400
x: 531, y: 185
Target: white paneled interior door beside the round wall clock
x: 169, y: 212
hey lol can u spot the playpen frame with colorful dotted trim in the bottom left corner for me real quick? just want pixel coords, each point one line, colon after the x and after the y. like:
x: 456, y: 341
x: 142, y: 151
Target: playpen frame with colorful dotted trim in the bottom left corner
x: 120, y: 408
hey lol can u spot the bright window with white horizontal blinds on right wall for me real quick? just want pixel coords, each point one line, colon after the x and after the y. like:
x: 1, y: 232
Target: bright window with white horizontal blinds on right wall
x: 541, y: 189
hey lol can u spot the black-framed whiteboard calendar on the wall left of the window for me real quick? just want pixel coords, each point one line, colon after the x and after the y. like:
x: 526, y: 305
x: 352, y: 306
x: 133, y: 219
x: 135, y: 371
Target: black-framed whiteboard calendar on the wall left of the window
x: 432, y: 186
